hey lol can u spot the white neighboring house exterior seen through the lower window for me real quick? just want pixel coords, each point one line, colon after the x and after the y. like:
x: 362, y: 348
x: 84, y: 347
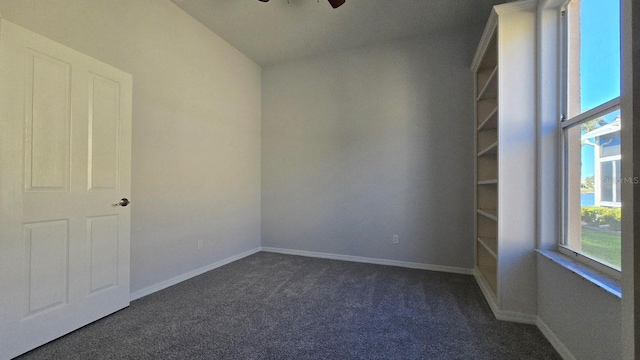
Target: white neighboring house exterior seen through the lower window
x: 607, y: 176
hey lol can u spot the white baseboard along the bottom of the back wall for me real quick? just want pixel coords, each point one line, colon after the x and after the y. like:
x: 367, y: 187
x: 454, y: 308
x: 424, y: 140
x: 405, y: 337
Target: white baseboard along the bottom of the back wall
x: 441, y: 268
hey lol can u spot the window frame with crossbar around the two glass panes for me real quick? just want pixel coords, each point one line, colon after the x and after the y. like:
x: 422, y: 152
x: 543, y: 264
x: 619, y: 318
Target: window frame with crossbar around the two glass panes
x: 566, y: 123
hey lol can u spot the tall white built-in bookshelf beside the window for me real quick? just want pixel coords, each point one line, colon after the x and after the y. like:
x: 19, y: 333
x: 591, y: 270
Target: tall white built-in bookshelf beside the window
x: 505, y: 69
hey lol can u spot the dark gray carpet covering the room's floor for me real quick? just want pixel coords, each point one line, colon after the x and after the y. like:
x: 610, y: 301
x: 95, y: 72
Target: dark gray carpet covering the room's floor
x: 271, y: 306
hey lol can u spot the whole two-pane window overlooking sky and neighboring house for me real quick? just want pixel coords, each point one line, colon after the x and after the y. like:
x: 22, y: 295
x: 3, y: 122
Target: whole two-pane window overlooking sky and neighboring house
x: 591, y: 155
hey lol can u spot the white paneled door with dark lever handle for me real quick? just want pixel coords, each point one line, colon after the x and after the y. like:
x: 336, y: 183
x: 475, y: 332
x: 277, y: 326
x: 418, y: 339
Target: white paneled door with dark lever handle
x: 65, y: 144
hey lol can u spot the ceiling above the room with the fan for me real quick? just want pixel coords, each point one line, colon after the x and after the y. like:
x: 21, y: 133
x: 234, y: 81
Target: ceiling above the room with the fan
x: 281, y: 30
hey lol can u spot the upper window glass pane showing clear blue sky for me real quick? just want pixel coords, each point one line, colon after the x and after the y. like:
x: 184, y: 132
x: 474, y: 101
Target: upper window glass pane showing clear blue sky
x: 593, y: 67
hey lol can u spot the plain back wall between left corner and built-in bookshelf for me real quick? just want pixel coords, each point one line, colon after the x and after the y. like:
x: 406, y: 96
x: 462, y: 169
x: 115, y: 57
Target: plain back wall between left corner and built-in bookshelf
x: 367, y: 143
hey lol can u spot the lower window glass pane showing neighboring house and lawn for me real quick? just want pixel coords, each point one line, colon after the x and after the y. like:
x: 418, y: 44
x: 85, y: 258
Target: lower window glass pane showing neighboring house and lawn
x: 592, y: 190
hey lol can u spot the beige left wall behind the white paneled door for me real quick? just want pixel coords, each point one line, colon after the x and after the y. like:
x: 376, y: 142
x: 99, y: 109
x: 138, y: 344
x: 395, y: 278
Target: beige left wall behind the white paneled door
x: 196, y: 126
